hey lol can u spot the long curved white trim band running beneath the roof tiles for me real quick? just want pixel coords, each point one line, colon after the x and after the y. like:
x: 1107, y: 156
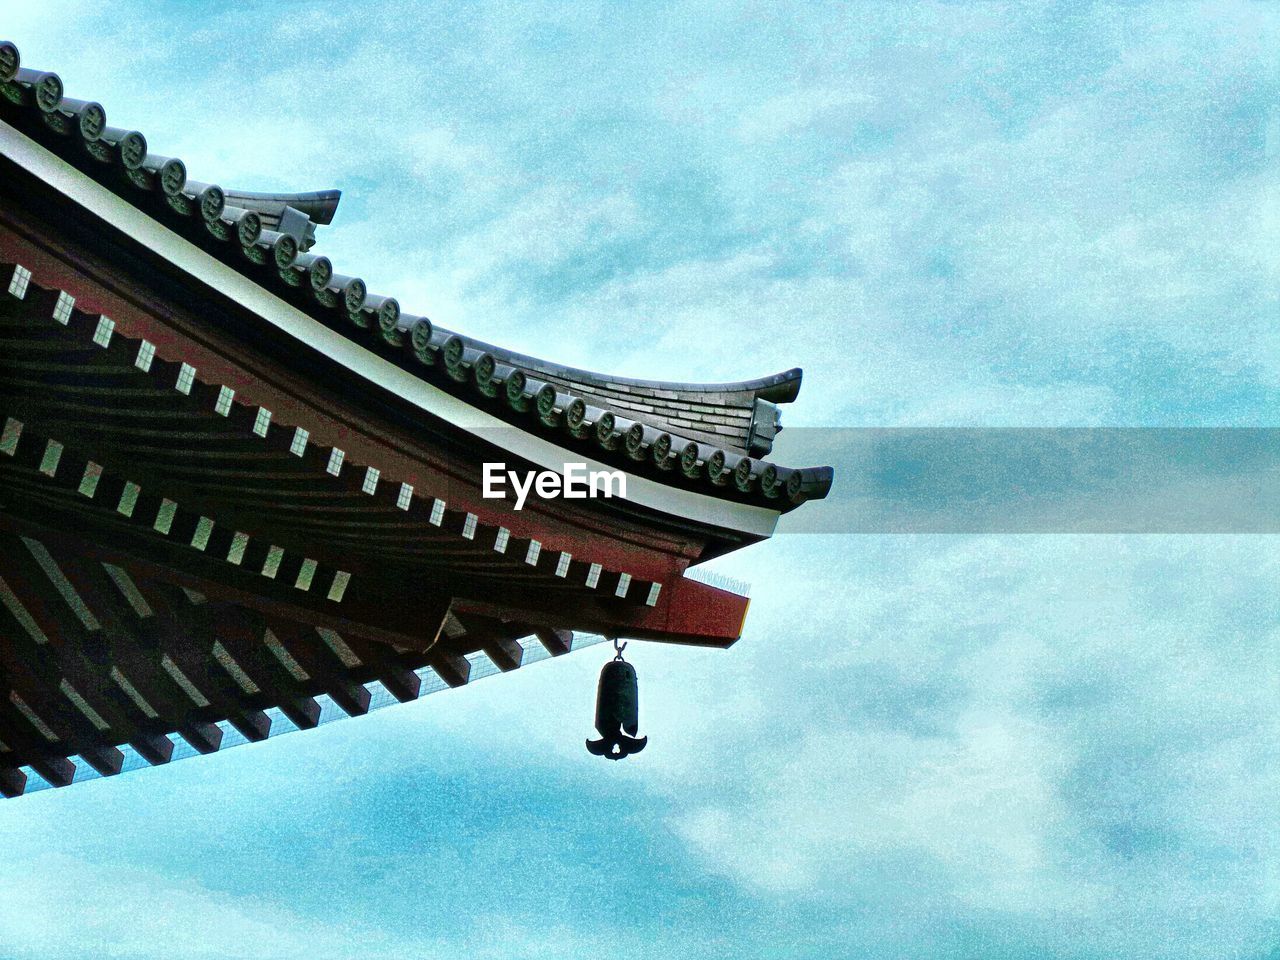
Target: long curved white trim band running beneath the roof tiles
x: 310, y: 333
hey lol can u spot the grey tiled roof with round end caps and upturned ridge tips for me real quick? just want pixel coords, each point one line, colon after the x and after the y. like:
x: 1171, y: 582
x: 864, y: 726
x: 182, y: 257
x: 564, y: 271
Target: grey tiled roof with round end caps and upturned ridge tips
x: 706, y: 437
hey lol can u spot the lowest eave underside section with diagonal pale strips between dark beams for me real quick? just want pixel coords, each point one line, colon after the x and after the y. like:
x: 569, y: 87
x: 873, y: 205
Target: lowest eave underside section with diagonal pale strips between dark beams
x: 140, y: 661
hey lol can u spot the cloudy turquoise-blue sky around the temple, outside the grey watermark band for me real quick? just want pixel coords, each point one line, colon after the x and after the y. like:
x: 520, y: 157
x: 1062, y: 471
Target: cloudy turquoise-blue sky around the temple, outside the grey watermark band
x: 961, y: 747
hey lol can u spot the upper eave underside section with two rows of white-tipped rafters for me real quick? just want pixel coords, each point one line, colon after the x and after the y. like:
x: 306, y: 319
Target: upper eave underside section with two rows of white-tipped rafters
x: 107, y: 442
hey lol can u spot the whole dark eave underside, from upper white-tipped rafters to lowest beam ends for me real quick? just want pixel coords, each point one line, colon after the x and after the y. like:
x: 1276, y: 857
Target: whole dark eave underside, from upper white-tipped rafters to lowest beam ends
x: 90, y: 669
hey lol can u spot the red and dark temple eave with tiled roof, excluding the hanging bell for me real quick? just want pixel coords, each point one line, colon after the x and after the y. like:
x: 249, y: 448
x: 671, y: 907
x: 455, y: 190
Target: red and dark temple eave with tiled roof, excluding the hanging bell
x: 240, y: 492
